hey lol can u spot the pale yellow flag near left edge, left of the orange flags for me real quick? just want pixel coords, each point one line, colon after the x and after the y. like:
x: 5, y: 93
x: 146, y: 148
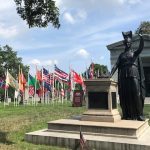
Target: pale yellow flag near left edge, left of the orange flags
x: 11, y: 81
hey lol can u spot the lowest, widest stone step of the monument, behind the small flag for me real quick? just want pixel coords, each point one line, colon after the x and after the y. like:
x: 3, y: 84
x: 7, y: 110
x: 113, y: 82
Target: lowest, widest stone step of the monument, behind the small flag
x: 70, y: 140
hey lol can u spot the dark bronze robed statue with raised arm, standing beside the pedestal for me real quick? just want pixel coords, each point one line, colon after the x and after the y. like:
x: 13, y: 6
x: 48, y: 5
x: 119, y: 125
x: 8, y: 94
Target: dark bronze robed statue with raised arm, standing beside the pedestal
x: 131, y: 87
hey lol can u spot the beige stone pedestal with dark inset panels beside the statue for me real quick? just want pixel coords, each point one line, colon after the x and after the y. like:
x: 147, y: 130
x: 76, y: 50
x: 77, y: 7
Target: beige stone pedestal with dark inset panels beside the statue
x: 101, y: 100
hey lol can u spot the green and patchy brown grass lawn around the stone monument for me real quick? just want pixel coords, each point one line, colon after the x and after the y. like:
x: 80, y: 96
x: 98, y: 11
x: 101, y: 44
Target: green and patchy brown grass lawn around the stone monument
x: 16, y: 121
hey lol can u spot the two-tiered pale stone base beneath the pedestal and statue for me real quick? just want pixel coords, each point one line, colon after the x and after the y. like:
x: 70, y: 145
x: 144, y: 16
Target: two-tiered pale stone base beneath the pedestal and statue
x: 120, y: 135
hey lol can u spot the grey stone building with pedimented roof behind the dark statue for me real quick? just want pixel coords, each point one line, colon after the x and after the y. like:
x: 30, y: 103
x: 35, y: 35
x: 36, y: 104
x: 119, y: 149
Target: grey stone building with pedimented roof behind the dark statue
x: 118, y: 47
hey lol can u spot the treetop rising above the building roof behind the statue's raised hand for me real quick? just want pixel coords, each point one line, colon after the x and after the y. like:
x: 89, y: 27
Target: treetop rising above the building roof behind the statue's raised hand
x: 145, y: 27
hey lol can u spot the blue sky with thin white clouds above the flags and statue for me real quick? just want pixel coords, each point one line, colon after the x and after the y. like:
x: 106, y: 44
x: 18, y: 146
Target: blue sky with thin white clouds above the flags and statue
x: 87, y: 27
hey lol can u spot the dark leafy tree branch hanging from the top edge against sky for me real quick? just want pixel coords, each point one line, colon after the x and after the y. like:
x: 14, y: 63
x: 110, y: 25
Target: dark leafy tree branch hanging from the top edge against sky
x: 38, y: 13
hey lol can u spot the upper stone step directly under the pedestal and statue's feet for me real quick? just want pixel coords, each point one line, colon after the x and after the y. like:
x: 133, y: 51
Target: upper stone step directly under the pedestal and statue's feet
x: 122, y: 128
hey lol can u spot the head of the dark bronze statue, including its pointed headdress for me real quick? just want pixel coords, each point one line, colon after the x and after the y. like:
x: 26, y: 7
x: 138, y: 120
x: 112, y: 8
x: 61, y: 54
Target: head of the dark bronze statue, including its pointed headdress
x: 127, y: 39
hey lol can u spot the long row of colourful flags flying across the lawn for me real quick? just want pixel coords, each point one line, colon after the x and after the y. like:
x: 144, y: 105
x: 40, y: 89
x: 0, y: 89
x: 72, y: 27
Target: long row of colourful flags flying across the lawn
x: 42, y: 82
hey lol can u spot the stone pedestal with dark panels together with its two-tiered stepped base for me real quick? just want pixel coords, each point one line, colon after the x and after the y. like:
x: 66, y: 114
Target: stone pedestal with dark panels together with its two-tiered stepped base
x: 101, y: 125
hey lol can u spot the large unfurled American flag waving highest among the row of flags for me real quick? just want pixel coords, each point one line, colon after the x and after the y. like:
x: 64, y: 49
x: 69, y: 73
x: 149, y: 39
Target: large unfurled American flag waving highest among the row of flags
x: 60, y: 74
